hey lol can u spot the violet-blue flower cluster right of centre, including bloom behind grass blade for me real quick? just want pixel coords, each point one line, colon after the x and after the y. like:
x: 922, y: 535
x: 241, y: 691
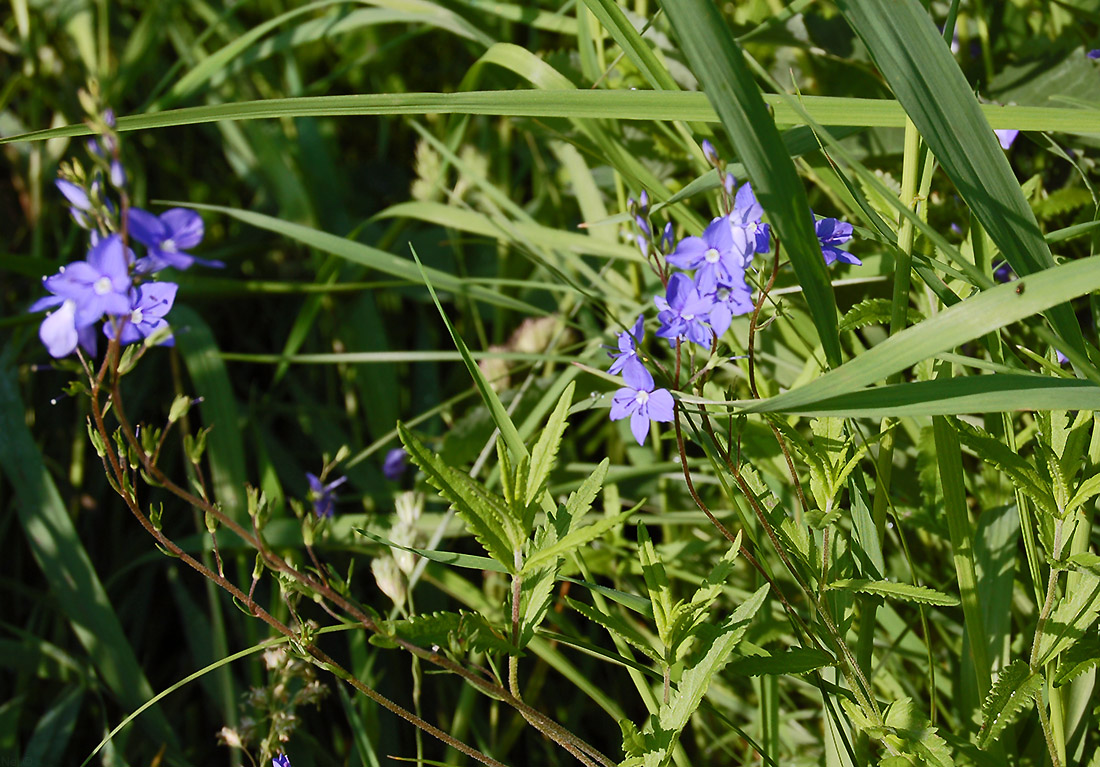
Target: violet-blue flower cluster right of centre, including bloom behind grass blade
x: 702, y: 300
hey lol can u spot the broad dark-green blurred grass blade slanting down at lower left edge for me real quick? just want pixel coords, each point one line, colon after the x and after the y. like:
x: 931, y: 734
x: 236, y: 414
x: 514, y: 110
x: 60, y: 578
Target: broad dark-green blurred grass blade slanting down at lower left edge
x: 73, y: 580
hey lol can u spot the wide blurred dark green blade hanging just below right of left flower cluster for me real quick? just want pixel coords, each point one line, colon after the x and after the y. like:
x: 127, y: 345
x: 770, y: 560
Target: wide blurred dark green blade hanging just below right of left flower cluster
x: 225, y: 445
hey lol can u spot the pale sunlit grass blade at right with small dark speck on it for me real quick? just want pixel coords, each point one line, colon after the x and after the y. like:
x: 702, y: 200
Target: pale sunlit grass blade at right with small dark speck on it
x: 972, y: 319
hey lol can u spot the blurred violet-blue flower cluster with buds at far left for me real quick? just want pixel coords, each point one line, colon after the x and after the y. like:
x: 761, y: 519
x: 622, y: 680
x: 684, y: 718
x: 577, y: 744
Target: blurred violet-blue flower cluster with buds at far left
x: 112, y: 282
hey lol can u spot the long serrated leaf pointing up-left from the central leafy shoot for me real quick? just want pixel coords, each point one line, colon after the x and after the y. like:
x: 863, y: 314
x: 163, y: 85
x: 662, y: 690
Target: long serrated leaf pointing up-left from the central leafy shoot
x: 483, y: 513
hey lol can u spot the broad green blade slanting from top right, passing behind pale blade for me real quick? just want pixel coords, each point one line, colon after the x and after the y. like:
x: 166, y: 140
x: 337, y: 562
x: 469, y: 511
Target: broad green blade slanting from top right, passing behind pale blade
x: 916, y: 61
